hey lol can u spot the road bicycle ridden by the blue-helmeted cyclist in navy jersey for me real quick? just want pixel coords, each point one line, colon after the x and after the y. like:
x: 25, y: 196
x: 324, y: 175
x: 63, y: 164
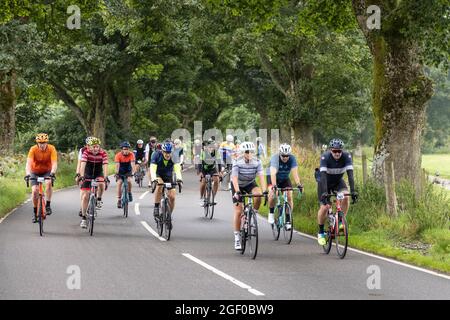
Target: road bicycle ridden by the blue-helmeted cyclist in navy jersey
x: 164, y: 221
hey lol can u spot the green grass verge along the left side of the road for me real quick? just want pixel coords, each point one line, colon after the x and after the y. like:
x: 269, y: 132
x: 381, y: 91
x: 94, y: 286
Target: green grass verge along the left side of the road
x: 13, y: 190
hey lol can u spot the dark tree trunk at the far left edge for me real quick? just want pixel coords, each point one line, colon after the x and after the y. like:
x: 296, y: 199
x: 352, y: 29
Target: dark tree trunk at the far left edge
x: 7, y: 111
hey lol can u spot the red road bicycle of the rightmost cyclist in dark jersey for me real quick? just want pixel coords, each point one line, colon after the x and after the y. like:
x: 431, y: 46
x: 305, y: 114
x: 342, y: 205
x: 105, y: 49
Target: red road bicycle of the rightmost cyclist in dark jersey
x: 337, y: 227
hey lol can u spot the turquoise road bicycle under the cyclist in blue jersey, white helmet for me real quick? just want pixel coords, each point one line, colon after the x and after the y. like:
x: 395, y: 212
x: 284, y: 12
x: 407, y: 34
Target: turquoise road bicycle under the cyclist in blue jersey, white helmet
x: 283, y: 215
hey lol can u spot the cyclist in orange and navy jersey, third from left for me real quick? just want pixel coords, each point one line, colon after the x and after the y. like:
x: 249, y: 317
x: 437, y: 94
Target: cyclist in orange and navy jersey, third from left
x: 125, y: 166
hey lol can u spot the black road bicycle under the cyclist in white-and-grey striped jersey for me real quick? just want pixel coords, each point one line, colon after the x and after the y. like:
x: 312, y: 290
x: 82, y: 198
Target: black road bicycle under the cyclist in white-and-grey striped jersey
x: 249, y: 225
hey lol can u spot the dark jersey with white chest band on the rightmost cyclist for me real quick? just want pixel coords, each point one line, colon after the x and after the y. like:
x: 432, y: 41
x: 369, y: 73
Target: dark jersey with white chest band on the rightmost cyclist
x: 335, y: 169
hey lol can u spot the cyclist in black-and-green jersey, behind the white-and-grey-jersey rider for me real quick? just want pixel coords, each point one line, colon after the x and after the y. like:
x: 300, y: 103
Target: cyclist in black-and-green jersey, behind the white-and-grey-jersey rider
x: 210, y: 164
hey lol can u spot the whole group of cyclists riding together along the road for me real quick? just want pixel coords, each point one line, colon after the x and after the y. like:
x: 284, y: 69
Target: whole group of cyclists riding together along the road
x: 163, y: 163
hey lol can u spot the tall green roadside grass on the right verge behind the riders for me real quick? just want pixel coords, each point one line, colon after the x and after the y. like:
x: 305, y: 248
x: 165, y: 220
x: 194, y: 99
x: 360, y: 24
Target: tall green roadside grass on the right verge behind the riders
x: 419, y: 235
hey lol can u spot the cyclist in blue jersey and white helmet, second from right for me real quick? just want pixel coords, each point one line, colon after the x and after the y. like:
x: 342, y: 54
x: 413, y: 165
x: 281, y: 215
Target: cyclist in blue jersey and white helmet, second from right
x: 281, y: 166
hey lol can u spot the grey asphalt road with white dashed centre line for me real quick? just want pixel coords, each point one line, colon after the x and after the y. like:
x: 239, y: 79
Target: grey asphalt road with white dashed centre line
x: 125, y: 260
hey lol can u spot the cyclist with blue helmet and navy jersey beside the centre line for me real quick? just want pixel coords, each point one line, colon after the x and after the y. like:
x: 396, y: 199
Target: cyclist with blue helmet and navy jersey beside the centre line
x: 162, y: 168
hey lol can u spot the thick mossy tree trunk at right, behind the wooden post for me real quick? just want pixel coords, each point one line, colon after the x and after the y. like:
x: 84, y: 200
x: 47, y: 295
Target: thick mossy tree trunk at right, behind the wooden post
x: 400, y: 92
